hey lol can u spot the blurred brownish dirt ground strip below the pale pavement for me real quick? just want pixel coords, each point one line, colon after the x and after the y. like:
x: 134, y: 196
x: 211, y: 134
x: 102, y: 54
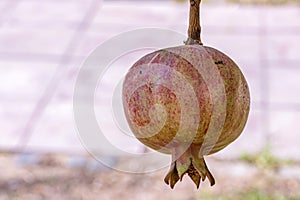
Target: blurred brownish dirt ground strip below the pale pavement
x: 50, y: 177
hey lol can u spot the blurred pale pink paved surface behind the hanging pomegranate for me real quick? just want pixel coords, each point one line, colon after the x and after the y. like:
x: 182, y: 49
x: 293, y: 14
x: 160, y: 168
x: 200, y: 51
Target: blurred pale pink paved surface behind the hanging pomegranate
x: 43, y: 44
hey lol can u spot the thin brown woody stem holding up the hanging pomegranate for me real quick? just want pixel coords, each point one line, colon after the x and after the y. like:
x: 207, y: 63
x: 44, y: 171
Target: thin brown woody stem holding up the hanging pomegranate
x: 194, y: 31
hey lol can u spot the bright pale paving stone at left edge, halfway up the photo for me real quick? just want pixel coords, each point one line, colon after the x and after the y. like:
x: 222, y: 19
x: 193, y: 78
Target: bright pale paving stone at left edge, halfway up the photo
x: 24, y: 82
